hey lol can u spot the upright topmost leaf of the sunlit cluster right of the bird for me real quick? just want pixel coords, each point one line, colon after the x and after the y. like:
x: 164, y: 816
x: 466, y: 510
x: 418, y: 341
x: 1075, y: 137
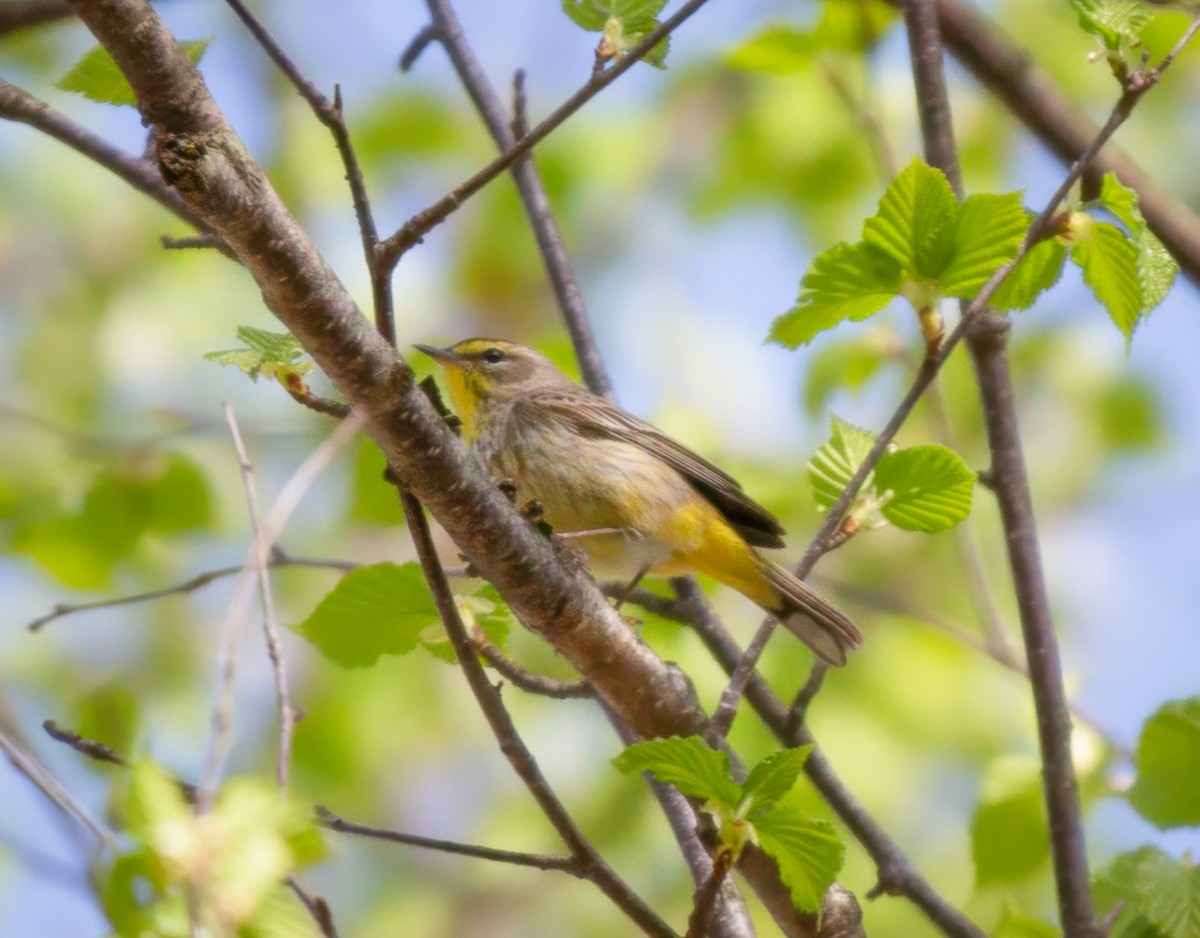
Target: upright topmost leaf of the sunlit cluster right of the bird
x: 916, y: 223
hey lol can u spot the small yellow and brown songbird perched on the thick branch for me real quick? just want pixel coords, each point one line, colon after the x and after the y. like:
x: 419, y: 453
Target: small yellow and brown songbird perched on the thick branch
x: 637, y: 501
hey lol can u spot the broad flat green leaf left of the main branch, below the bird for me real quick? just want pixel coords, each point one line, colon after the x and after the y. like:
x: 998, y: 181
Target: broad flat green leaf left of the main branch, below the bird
x: 374, y: 611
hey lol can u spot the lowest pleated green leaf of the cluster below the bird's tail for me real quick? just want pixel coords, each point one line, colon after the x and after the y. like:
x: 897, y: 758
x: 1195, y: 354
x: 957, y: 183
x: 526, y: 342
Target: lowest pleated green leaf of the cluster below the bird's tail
x: 807, y: 850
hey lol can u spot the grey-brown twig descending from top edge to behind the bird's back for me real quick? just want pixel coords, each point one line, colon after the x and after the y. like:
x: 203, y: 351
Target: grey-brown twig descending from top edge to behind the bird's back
x: 531, y: 189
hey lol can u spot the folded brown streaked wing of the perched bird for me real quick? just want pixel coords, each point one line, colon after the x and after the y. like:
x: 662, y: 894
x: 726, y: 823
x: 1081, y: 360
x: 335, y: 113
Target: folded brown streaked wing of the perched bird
x: 596, y: 417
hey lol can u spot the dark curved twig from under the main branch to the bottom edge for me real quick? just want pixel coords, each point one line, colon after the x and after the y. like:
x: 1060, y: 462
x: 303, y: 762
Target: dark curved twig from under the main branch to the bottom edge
x: 592, y: 865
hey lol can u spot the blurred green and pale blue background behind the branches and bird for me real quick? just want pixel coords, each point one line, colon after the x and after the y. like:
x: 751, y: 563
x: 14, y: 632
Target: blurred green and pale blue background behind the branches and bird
x: 692, y: 202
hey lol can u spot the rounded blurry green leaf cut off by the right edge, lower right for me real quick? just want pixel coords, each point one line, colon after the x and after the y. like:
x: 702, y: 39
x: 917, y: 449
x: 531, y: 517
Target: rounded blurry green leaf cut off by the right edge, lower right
x: 1168, y: 763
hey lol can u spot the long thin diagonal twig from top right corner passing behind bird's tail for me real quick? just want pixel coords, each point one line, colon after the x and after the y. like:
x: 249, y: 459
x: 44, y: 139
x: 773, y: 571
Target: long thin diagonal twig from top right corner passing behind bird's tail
x: 826, y: 537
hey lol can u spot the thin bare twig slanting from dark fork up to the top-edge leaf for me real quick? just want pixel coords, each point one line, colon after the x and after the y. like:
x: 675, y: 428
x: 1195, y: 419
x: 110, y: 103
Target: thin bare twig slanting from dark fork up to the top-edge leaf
x: 416, y: 229
